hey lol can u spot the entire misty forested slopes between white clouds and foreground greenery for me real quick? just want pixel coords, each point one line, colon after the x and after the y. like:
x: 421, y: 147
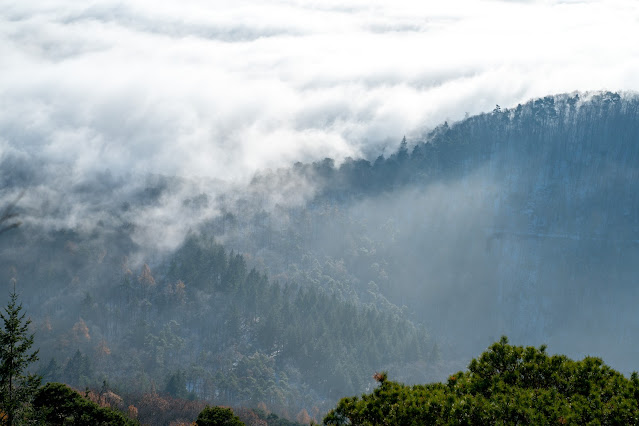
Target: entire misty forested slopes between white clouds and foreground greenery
x: 288, y: 294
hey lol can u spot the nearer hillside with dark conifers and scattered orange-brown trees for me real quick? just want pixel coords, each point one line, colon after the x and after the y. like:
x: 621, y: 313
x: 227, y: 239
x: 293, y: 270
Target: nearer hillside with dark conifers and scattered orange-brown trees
x: 205, y: 326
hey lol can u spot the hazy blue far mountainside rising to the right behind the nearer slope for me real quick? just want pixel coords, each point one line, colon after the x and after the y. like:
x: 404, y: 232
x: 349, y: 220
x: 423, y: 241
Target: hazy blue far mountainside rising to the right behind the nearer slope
x: 520, y: 221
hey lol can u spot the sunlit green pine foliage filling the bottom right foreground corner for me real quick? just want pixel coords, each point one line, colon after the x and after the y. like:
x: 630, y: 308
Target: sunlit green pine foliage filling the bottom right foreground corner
x: 506, y: 385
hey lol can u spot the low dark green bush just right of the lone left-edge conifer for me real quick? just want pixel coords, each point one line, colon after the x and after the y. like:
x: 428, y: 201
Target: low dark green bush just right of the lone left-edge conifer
x: 60, y: 405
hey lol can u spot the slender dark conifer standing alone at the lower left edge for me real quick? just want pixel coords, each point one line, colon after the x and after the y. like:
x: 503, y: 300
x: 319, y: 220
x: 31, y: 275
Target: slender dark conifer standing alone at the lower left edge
x: 17, y: 386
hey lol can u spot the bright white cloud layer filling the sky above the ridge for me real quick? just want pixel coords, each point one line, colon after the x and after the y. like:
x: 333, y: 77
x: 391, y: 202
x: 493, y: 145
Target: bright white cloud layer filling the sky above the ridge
x: 223, y: 88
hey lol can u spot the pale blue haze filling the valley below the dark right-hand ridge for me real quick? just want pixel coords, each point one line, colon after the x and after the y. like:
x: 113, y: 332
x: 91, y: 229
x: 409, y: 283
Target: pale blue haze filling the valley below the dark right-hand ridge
x: 466, y: 262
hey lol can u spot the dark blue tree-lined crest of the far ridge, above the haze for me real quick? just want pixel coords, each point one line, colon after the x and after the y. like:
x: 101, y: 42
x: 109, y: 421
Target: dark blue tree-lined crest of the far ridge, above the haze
x: 546, y: 134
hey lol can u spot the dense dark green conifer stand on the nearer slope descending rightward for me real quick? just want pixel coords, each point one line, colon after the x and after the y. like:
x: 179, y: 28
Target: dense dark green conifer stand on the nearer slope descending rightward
x: 327, y: 338
